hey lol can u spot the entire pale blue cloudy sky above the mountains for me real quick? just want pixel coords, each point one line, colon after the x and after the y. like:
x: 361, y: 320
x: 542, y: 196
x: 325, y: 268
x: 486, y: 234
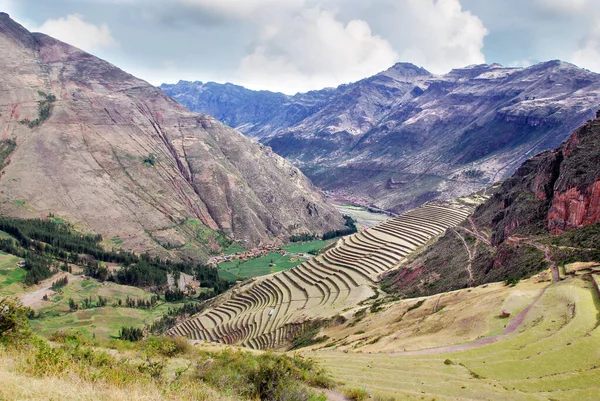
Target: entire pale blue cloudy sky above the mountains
x: 294, y: 46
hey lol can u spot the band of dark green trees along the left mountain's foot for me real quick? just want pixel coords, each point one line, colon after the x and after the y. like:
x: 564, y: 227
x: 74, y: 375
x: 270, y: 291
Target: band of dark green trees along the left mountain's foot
x: 45, y: 242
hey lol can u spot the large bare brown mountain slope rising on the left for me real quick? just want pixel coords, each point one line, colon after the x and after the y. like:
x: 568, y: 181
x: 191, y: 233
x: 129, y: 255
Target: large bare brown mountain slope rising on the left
x: 86, y: 142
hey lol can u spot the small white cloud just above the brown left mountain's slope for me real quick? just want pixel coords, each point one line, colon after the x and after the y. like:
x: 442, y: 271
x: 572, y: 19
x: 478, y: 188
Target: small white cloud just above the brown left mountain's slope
x: 73, y: 29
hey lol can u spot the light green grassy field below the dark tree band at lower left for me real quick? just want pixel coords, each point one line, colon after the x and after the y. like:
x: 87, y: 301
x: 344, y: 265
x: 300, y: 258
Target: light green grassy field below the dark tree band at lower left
x: 101, y: 322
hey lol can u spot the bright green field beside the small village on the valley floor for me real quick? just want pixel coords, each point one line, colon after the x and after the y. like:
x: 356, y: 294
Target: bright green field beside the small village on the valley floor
x: 238, y: 269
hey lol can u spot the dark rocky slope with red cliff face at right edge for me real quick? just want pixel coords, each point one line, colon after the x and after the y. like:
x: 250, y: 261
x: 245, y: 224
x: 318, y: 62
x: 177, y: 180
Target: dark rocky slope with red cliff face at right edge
x: 546, y: 214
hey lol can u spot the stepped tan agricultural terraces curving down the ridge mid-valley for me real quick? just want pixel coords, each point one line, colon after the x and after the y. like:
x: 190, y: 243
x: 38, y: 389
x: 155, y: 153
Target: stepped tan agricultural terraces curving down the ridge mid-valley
x: 269, y: 311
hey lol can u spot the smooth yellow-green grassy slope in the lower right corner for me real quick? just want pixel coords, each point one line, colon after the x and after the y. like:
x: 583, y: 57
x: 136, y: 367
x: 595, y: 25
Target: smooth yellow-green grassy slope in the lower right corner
x: 554, y: 355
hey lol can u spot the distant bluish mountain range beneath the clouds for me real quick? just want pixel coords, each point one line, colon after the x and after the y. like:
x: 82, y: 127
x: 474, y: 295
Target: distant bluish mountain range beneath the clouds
x: 406, y: 136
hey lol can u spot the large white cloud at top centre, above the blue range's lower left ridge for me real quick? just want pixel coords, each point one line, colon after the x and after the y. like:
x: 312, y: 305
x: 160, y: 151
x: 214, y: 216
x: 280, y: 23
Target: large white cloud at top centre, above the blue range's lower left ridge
x: 311, y: 50
